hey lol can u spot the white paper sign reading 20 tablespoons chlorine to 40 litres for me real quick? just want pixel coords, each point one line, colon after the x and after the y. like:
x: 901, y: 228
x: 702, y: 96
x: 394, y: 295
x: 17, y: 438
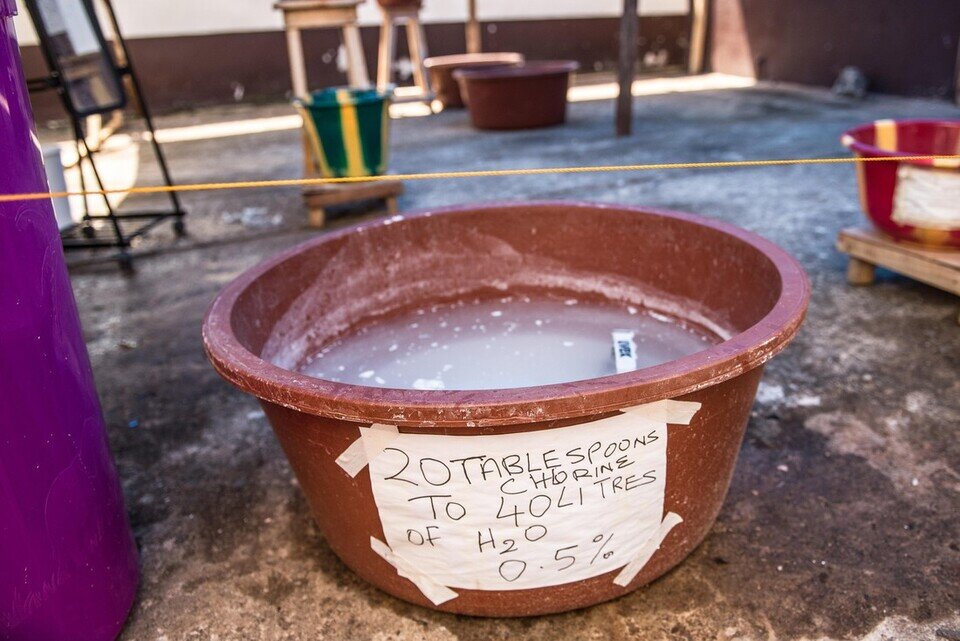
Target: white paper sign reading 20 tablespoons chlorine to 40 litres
x: 525, y: 510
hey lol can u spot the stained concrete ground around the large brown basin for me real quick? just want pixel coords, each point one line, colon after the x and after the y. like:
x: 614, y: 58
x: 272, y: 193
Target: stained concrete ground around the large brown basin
x: 843, y: 519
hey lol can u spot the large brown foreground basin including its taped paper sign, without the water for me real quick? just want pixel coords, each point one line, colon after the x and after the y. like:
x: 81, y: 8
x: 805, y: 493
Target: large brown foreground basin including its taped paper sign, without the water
x: 263, y: 325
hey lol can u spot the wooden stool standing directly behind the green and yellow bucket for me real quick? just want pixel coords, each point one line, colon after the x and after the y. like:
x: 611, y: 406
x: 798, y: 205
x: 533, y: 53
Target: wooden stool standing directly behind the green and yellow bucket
x: 318, y: 14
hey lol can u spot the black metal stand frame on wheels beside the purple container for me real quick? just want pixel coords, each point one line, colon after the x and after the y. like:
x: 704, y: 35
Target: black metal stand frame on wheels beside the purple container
x: 121, y: 239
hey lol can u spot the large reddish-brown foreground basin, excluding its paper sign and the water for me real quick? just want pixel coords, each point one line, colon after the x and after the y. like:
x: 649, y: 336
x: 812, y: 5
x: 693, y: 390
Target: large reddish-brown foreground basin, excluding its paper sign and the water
x: 713, y: 271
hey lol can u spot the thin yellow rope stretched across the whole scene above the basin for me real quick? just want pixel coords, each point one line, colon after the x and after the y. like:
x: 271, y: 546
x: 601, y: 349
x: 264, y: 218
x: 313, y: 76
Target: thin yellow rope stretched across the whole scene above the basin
x: 482, y: 173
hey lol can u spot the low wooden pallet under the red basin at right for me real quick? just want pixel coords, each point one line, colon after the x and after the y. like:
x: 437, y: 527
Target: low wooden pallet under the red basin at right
x: 869, y: 249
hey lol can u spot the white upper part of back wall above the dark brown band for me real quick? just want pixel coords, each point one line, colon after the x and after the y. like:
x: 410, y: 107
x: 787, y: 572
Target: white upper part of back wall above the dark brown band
x: 146, y: 18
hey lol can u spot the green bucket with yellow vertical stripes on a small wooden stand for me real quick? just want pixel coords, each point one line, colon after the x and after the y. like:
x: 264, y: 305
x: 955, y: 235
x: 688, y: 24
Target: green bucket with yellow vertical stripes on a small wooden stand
x: 348, y: 129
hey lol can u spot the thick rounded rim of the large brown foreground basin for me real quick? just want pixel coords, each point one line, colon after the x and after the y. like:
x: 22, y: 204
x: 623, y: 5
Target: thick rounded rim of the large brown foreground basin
x: 469, y: 408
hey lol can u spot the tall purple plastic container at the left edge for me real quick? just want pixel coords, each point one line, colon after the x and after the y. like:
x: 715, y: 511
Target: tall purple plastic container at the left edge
x: 68, y: 563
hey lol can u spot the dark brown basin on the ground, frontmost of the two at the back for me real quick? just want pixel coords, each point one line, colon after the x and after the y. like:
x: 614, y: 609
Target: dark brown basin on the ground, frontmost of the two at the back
x: 525, y: 96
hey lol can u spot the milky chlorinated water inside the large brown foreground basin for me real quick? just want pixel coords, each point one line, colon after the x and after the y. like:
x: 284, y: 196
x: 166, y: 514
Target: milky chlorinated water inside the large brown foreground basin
x: 497, y: 342
